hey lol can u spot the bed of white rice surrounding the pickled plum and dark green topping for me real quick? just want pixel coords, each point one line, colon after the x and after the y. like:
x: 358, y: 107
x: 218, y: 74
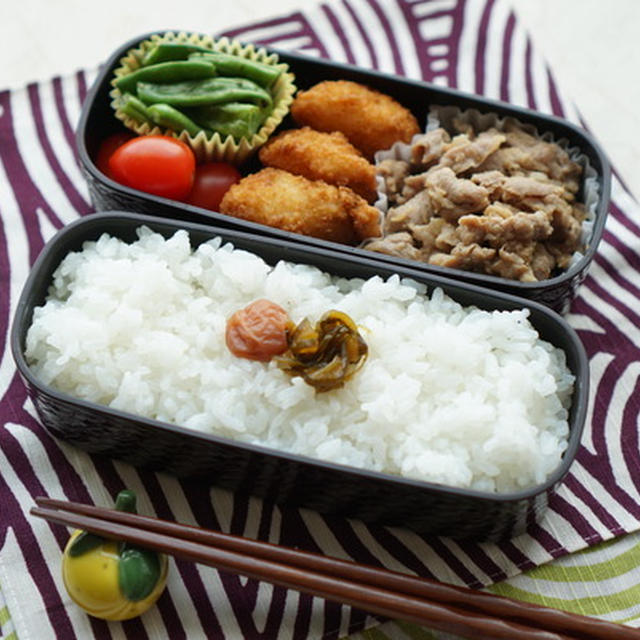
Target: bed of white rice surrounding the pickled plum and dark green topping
x: 452, y: 395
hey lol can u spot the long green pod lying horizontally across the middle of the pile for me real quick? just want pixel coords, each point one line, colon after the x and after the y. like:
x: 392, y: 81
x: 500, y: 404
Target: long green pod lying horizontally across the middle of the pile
x: 195, y: 93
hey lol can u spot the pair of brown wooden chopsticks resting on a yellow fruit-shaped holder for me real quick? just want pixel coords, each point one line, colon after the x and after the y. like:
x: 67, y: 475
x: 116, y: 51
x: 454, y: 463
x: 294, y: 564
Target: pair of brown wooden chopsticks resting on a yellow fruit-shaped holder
x: 458, y: 610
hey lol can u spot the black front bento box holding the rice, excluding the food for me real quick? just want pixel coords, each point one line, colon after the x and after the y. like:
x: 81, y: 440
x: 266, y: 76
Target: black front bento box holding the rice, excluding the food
x: 275, y: 476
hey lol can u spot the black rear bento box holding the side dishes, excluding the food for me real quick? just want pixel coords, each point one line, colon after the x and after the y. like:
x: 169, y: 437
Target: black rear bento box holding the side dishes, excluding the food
x: 98, y: 120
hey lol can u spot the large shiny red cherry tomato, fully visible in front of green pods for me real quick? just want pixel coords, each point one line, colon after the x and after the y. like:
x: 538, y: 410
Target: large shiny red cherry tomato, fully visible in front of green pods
x: 160, y: 165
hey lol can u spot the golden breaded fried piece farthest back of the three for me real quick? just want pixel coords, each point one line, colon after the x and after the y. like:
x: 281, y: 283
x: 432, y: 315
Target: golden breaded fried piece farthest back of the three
x: 371, y: 120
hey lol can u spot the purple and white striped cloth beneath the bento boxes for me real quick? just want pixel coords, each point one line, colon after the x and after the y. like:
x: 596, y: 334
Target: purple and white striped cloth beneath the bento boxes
x: 475, y: 45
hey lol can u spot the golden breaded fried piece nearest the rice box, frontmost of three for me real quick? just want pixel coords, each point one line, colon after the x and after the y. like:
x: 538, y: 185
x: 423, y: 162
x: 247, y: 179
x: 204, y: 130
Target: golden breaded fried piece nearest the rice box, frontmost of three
x: 281, y: 199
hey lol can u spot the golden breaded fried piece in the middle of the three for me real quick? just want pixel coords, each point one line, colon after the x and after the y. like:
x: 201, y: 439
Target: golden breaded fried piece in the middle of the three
x: 321, y: 156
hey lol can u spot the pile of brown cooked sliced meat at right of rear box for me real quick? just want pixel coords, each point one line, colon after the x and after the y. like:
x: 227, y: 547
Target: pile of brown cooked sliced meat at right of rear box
x: 496, y: 203
